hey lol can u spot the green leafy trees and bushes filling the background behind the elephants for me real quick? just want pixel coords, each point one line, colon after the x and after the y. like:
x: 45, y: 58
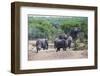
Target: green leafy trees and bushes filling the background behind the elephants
x: 52, y: 26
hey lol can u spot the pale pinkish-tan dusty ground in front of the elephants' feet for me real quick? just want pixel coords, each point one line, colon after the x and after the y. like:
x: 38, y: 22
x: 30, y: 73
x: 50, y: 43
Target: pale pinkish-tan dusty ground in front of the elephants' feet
x: 48, y: 55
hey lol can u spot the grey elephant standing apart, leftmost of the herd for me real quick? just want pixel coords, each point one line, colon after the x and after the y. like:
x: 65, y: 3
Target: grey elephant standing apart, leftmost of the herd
x: 41, y: 43
